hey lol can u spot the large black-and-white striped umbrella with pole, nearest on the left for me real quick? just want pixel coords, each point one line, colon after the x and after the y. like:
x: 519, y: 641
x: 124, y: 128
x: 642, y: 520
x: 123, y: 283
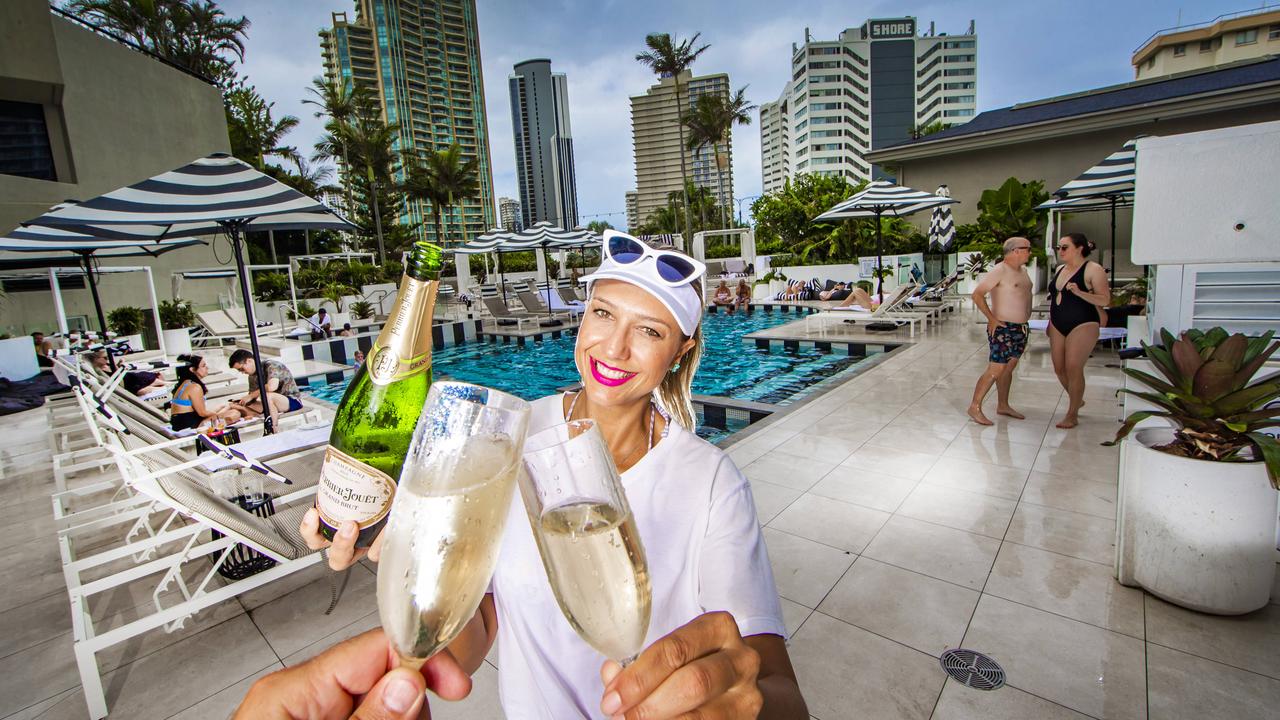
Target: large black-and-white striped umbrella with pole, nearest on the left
x: 214, y: 194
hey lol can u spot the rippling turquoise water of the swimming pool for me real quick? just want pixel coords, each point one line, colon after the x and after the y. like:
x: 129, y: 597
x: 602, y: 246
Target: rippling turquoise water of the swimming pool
x: 730, y: 367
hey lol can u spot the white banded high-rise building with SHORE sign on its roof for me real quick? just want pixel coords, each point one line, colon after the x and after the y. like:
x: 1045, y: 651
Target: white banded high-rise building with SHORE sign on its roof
x: 871, y: 88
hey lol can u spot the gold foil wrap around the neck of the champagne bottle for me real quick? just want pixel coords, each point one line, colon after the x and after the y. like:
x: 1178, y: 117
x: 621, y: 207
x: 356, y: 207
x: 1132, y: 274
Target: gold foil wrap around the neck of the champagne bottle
x: 405, y: 345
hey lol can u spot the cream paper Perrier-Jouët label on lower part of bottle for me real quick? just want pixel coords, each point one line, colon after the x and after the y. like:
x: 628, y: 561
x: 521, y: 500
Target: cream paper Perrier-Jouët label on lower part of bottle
x: 351, y: 490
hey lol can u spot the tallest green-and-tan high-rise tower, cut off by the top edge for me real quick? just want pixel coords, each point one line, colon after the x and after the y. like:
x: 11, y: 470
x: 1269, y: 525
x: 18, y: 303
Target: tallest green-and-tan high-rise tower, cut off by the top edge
x: 422, y: 58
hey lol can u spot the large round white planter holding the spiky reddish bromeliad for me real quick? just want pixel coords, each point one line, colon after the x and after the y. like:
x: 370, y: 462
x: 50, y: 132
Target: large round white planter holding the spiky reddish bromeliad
x: 1197, y: 534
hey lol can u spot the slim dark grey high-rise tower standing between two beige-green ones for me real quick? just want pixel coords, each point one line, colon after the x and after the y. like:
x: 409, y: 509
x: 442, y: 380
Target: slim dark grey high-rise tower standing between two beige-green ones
x: 545, y: 144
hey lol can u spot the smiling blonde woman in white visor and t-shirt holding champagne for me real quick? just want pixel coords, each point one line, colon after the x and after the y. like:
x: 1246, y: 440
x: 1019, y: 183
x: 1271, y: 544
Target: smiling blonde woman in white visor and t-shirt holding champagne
x: 716, y: 637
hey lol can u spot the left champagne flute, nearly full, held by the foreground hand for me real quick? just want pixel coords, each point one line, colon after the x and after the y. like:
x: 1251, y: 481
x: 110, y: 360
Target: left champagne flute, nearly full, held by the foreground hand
x: 446, y: 523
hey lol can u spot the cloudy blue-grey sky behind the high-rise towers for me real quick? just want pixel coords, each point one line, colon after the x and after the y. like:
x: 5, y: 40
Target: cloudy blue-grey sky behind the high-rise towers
x: 1027, y: 51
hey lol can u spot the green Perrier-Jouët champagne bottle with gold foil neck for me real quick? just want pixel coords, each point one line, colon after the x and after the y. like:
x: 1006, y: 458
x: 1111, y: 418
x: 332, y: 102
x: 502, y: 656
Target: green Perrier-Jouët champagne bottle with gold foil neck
x: 376, y: 421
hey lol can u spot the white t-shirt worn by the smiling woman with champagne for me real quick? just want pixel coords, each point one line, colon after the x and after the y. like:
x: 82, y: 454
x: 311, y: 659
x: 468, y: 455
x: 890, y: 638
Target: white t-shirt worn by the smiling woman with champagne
x: 705, y: 549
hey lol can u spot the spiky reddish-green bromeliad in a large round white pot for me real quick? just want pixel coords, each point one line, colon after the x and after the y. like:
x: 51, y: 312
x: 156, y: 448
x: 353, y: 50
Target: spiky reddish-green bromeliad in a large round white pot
x: 1199, y: 500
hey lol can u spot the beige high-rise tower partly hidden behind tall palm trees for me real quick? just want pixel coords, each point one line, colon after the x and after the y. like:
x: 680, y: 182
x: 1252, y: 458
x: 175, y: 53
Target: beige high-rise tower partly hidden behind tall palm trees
x: 656, y: 139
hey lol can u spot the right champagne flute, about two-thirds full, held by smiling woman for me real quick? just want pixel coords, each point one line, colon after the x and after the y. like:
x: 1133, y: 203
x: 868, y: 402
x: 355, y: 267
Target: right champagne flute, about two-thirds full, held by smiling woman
x: 588, y: 537
